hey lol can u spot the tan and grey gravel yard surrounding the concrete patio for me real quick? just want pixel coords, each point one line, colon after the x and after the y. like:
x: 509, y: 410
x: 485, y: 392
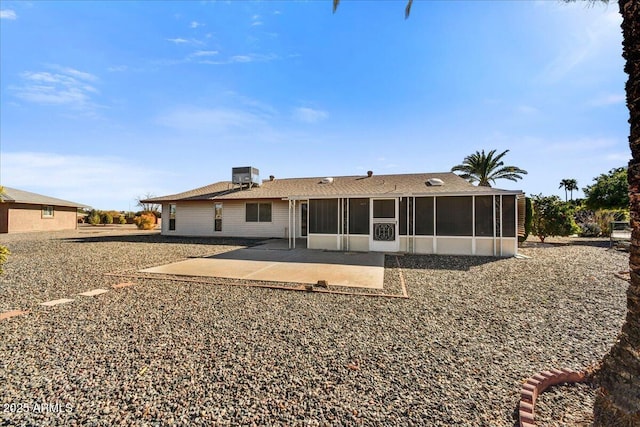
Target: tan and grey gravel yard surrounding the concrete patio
x: 177, y: 353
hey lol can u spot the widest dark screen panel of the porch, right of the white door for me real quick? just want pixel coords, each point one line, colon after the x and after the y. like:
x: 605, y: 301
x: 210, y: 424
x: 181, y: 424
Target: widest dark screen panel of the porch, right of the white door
x: 454, y: 216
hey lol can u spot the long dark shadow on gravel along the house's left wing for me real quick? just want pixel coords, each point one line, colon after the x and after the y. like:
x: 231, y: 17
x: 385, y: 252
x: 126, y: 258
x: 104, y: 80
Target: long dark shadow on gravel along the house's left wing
x: 158, y: 238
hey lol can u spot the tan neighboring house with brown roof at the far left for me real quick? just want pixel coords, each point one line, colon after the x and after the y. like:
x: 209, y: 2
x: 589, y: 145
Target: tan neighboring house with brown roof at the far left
x: 22, y: 211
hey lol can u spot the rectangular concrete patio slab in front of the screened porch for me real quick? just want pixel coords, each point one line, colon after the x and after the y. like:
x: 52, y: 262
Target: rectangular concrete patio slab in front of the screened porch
x: 361, y: 270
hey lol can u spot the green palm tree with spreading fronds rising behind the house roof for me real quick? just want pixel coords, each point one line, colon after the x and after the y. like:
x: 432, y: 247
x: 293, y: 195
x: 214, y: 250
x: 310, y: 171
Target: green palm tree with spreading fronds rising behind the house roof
x: 485, y: 168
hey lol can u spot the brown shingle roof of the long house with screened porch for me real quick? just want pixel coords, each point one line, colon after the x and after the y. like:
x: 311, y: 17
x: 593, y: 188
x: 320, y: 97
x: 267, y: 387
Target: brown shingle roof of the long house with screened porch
x: 341, y: 186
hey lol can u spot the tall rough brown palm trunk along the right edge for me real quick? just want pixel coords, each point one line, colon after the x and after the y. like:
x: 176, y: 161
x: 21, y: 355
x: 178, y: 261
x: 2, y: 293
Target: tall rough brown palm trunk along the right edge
x: 618, y: 400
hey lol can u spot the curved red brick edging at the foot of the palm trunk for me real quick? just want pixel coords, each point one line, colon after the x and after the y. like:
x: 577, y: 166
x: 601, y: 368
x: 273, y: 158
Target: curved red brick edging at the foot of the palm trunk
x: 538, y: 383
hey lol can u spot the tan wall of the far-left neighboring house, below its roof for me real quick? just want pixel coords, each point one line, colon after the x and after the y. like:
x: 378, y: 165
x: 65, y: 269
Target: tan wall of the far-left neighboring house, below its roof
x: 23, y: 218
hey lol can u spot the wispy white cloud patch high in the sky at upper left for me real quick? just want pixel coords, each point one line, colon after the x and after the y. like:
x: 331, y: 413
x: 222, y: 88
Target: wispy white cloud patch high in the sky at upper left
x: 68, y: 86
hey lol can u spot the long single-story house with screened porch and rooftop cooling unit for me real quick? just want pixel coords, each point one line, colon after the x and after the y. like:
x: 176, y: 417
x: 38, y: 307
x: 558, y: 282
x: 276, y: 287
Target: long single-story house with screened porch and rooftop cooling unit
x: 428, y: 213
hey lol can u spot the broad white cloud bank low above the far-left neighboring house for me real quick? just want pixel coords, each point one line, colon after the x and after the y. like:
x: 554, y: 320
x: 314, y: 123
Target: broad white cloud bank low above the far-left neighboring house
x: 103, y: 182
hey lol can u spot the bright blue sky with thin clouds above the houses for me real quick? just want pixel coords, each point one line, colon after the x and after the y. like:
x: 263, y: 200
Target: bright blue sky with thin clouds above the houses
x: 105, y: 101
